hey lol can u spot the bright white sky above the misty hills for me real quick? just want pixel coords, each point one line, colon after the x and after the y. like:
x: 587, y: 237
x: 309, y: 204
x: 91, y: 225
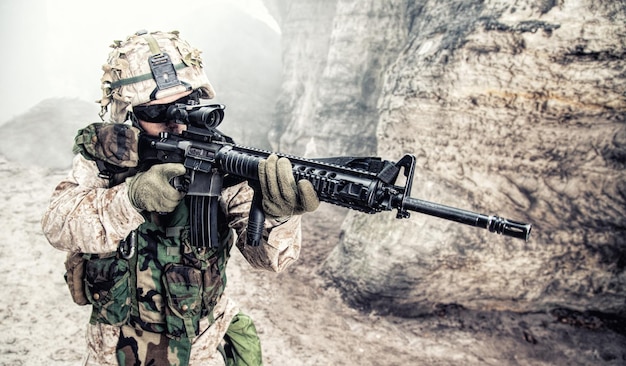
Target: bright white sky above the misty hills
x: 44, y: 41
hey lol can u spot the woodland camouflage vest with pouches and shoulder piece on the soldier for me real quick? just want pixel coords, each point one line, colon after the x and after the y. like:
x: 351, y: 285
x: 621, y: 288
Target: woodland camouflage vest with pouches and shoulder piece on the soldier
x: 156, y: 281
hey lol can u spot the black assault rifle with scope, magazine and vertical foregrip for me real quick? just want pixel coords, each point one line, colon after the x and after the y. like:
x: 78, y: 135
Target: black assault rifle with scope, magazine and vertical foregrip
x: 366, y: 184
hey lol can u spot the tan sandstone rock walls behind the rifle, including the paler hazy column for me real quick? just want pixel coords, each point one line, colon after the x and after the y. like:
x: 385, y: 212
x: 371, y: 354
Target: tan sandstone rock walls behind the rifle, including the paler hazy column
x: 515, y: 108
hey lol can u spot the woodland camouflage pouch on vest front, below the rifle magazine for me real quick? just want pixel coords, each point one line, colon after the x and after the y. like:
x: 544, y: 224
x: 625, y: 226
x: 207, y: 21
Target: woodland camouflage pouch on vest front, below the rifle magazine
x: 183, y: 289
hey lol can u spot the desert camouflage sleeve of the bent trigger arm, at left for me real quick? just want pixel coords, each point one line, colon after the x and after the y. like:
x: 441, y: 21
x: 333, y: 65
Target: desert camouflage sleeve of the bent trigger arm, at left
x: 84, y: 215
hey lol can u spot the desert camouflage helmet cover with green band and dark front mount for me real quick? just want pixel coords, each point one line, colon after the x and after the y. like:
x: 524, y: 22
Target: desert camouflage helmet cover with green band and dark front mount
x: 129, y: 78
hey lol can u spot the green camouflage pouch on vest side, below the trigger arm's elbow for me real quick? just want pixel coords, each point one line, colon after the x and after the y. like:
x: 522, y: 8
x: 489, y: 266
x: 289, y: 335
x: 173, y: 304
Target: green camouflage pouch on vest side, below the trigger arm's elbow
x: 108, y: 289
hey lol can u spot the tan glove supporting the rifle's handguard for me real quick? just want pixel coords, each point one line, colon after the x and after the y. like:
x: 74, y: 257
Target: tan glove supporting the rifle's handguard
x: 282, y: 197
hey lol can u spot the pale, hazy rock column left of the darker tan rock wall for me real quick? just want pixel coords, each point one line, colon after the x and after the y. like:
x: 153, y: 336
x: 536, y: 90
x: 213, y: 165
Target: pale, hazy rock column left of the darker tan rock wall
x: 334, y: 56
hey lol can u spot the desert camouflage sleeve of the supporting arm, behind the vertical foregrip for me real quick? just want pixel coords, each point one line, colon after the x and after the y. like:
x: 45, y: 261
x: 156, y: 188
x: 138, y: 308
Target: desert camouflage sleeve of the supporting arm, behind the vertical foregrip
x: 281, y: 241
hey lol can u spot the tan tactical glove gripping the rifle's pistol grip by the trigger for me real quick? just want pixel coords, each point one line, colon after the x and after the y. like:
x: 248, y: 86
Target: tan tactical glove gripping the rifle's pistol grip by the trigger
x: 151, y: 190
